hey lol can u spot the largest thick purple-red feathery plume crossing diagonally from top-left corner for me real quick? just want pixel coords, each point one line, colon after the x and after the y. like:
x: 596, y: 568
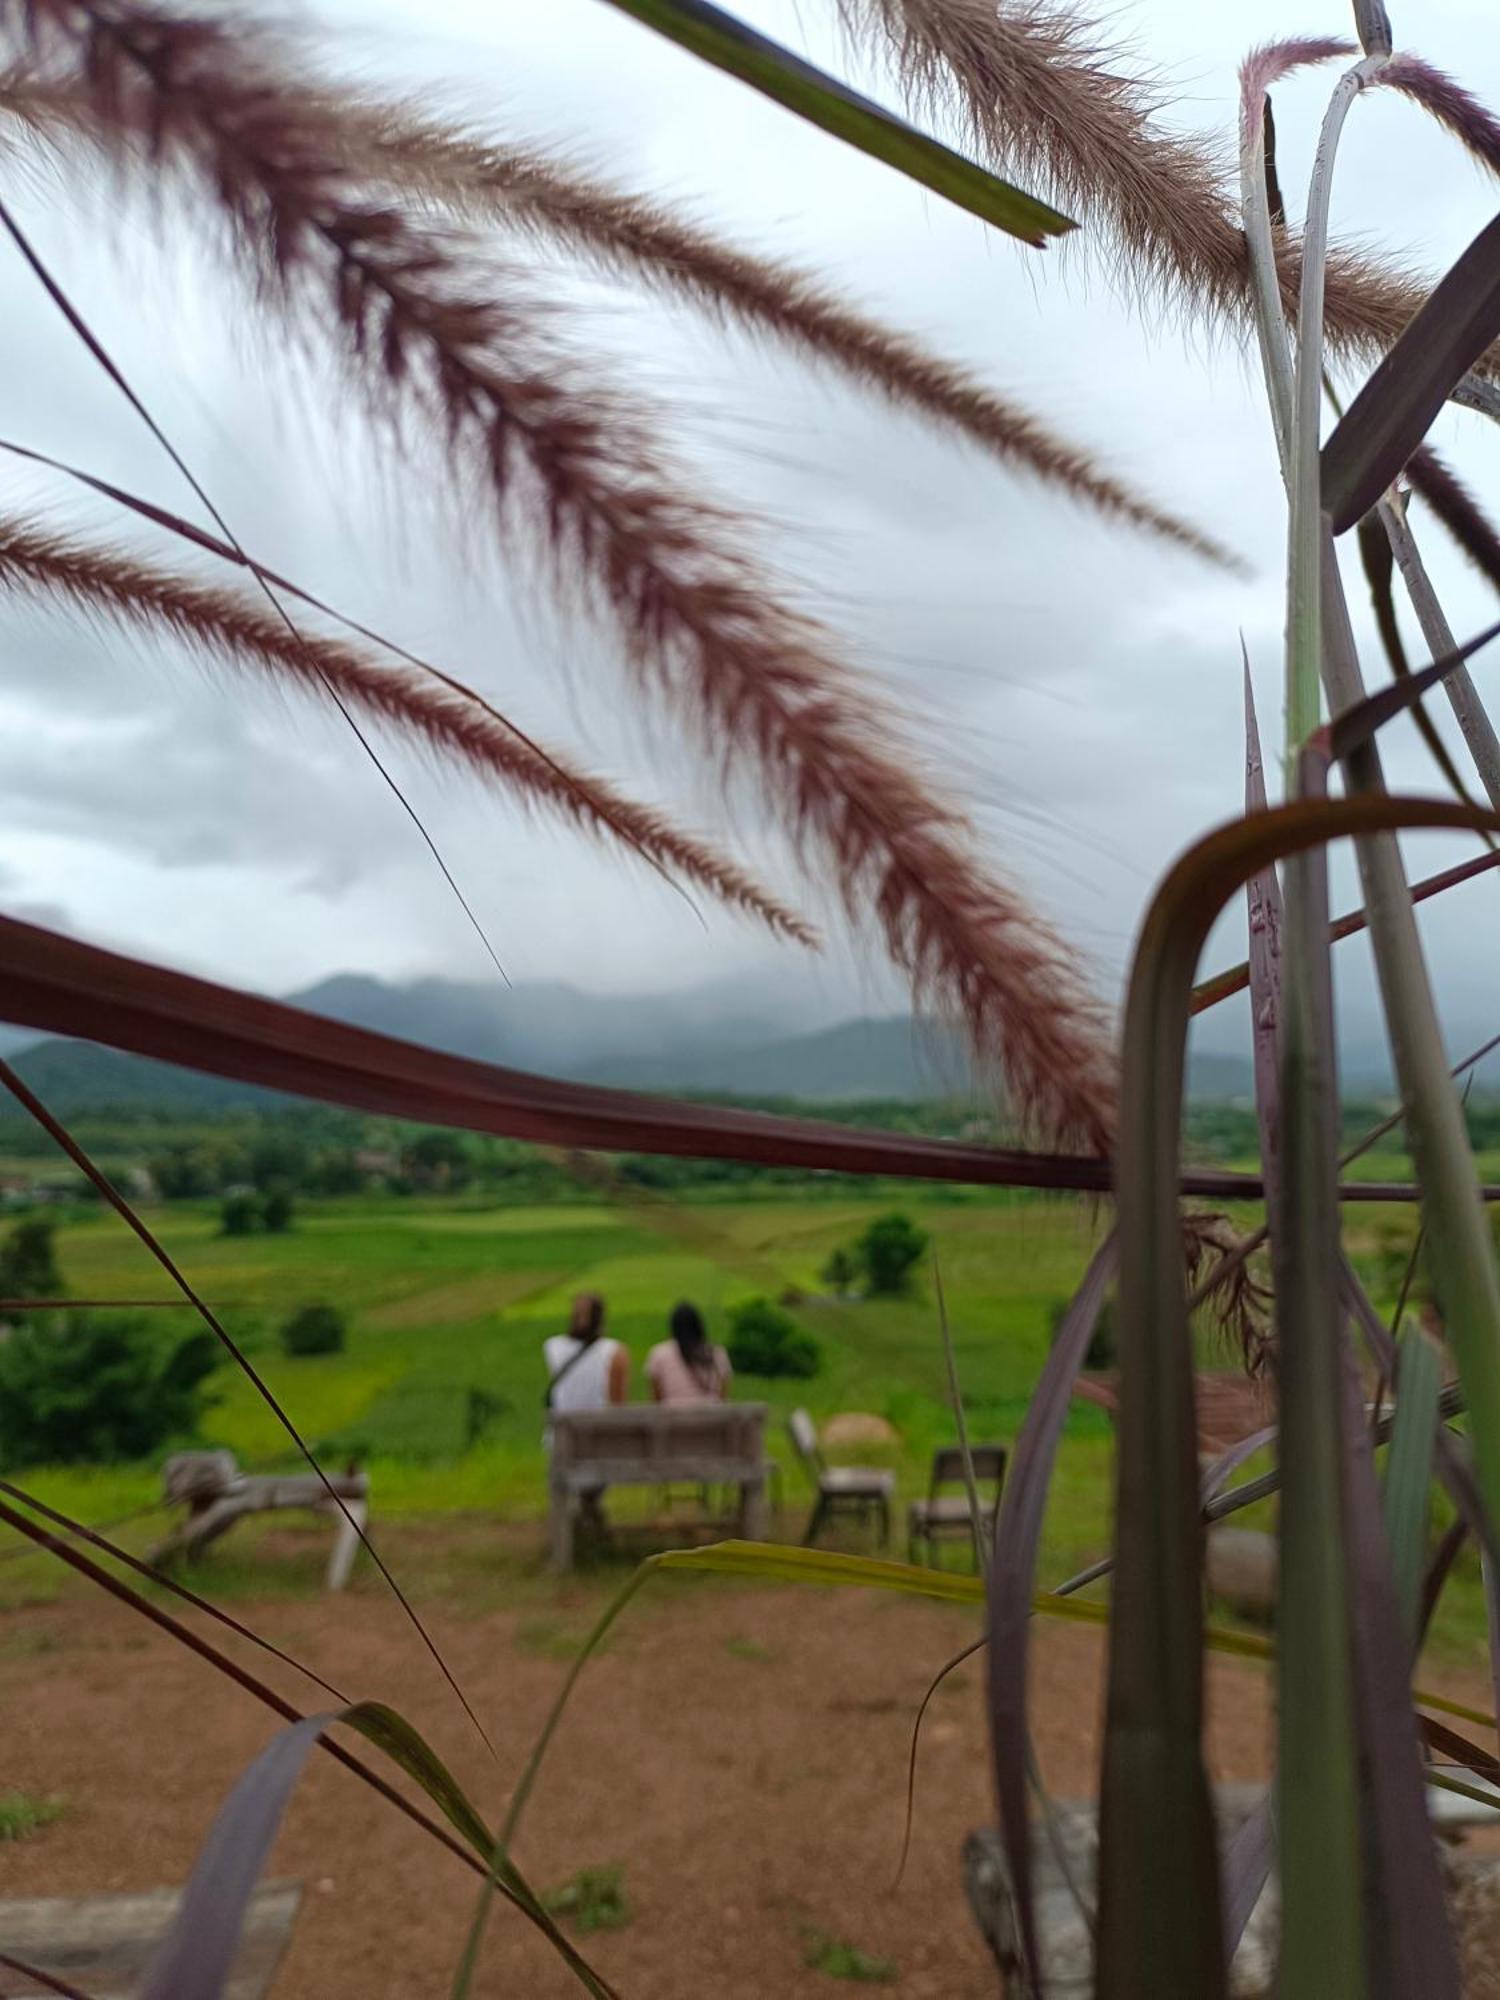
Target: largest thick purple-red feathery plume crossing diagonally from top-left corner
x: 583, y: 471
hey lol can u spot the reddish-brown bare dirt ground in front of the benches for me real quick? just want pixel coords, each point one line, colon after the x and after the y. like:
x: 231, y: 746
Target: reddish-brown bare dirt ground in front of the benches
x: 739, y: 1751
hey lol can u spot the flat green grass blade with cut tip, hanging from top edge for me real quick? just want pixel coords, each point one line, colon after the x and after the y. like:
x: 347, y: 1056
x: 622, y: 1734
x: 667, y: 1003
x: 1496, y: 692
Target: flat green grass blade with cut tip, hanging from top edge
x: 823, y: 101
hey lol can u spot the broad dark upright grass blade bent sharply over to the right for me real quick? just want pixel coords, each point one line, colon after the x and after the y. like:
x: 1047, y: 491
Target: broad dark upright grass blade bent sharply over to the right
x: 1157, y: 1857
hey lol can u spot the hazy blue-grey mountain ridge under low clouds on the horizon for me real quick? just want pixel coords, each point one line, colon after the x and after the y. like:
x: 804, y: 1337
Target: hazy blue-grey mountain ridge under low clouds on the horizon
x: 719, y: 1041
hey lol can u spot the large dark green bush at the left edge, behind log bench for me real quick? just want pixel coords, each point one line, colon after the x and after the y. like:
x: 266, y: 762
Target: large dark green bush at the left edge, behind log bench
x: 97, y: 1389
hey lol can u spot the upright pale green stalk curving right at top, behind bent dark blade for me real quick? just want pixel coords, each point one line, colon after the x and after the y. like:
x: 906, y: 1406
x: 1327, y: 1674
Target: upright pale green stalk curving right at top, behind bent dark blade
x: 1323, y: 1949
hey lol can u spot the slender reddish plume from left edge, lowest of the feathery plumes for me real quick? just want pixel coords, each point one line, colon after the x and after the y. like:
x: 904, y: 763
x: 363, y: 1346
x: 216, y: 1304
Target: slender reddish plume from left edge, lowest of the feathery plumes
x: 235, y: 631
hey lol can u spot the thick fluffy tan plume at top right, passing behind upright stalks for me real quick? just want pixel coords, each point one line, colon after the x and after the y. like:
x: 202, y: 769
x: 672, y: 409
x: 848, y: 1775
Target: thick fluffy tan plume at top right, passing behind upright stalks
x: 1043, y: 93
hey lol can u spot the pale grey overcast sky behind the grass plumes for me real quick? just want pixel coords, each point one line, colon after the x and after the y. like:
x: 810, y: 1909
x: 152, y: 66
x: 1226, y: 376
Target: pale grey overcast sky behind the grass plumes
x: 1079, y: 683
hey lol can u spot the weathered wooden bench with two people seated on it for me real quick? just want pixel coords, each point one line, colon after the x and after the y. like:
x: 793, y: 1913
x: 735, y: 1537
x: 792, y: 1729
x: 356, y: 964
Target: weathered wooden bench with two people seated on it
x: 657, y: 1445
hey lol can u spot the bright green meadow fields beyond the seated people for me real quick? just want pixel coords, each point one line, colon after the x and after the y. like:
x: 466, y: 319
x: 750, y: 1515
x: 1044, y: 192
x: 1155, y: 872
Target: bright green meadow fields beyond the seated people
x: 439, y: 1391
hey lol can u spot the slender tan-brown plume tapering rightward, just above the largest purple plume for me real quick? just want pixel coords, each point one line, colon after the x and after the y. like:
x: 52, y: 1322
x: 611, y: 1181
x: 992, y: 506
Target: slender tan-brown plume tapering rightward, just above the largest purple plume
x: 645, y: 239
